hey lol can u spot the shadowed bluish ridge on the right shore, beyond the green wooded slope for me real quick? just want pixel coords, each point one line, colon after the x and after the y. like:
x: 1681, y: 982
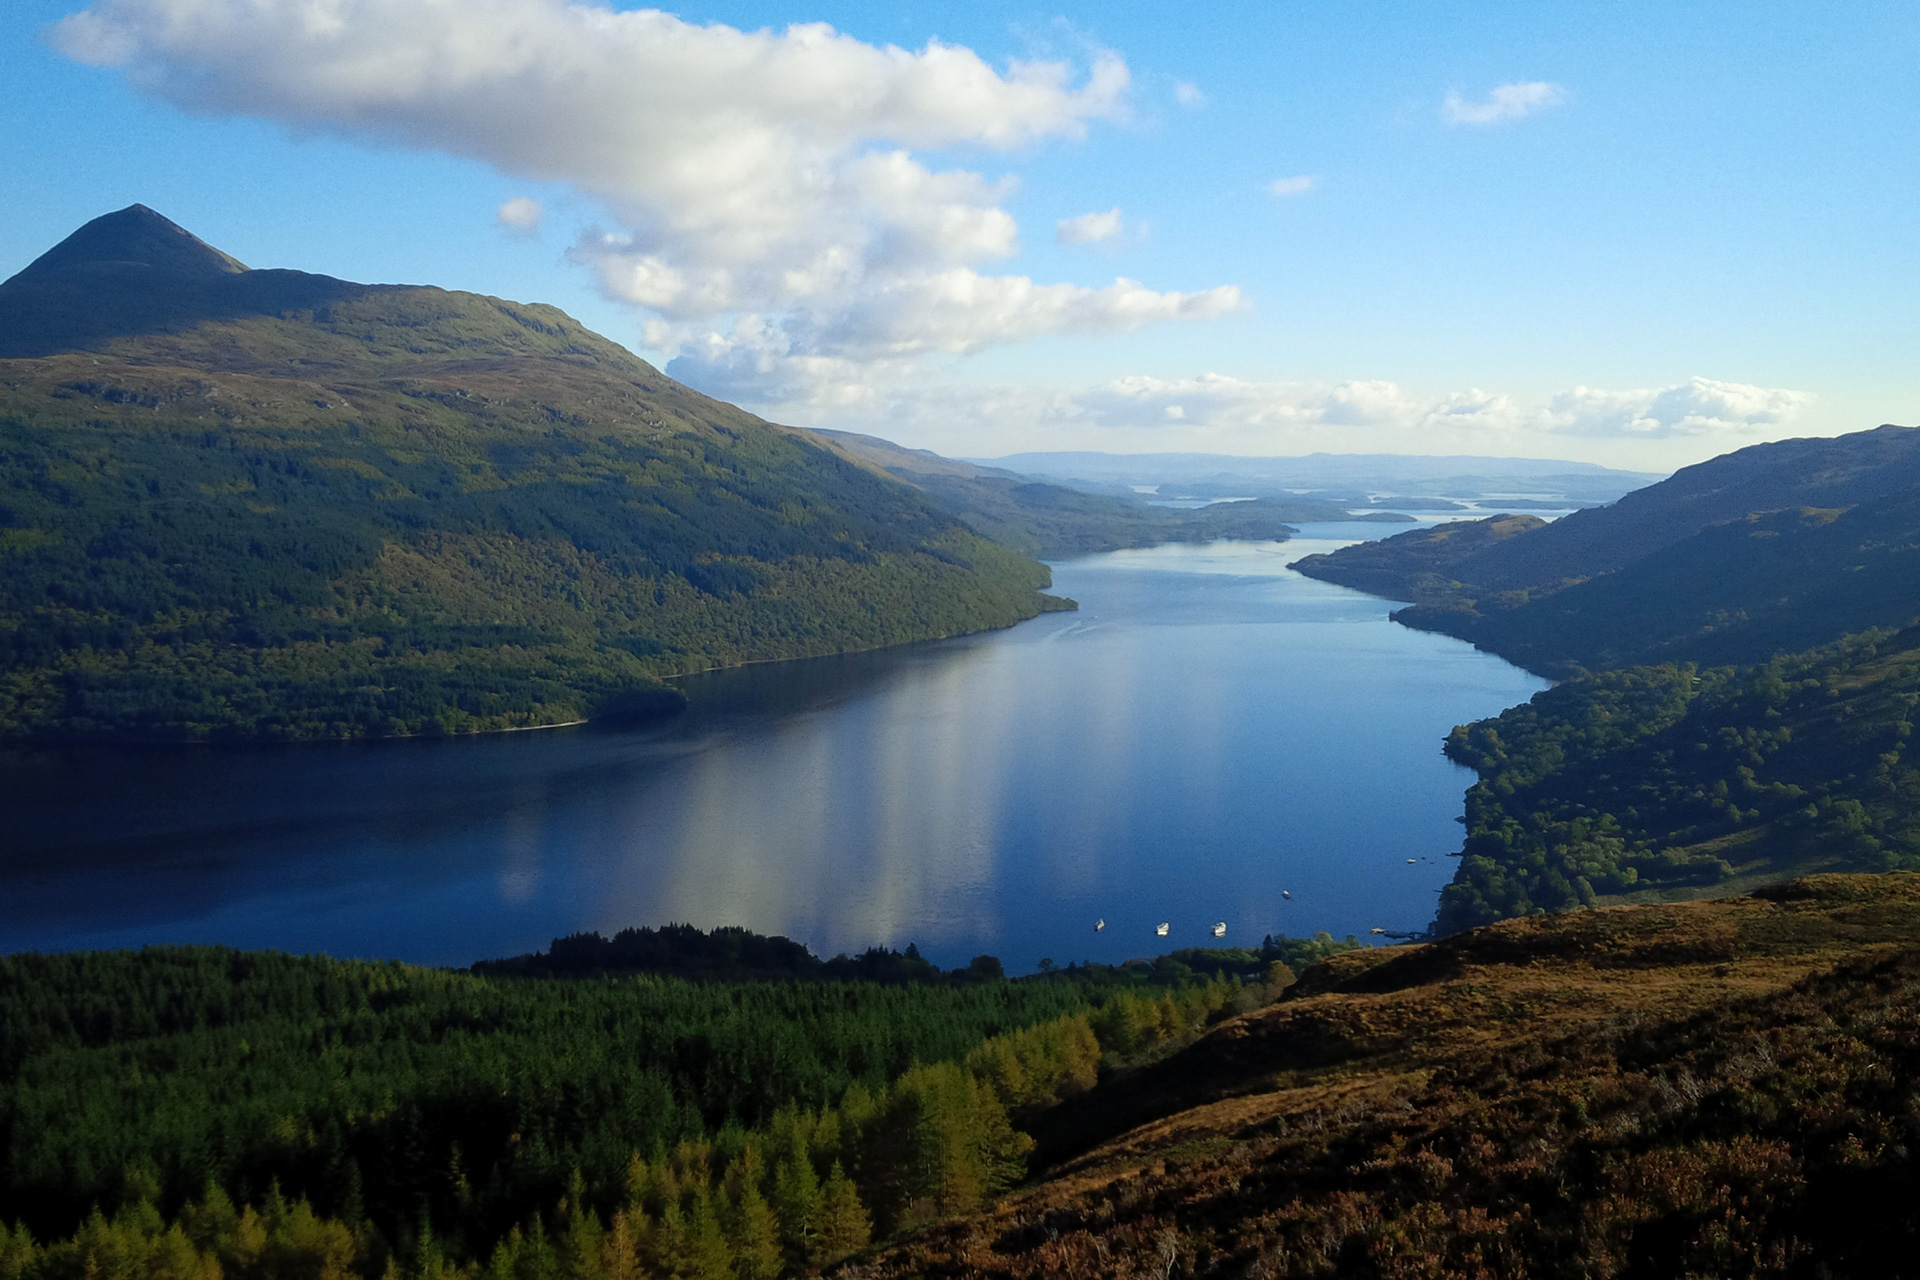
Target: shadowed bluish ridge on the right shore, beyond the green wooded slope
x: 1764, y: 552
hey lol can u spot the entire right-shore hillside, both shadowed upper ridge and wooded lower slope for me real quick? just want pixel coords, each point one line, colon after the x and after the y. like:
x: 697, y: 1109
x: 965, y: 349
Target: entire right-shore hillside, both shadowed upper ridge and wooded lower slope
x: 1742, y: 671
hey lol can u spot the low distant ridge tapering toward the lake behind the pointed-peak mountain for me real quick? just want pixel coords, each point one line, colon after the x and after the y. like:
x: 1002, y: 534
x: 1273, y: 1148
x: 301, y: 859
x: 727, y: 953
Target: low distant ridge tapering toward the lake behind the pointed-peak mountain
x: 1063, y: 521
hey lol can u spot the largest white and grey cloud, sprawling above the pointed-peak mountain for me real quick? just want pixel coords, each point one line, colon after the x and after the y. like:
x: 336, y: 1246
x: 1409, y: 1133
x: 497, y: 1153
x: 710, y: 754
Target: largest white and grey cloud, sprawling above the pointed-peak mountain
x: 748, y: 174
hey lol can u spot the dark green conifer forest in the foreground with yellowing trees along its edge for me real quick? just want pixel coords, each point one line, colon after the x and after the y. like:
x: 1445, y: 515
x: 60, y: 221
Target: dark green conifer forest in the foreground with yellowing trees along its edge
x: 302, y: 1116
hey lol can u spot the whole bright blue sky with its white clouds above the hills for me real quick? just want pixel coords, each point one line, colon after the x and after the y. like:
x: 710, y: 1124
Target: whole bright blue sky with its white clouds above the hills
x: 1635, y: 235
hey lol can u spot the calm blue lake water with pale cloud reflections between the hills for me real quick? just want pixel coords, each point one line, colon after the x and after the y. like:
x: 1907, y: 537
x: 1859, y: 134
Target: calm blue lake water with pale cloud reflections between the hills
x: 1207, y: 732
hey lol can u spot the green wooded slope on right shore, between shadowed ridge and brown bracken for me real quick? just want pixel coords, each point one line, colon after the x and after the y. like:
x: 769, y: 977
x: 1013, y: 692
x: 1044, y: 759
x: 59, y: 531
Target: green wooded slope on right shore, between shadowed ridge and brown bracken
x: 1677, y: 780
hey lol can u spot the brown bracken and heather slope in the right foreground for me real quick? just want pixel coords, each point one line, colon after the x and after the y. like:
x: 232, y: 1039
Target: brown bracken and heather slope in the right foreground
x: 1716, y: 1089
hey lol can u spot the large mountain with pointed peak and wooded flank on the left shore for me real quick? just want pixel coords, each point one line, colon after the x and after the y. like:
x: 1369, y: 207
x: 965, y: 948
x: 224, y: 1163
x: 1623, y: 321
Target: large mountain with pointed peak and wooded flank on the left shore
x: 268, y: 504
